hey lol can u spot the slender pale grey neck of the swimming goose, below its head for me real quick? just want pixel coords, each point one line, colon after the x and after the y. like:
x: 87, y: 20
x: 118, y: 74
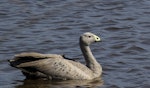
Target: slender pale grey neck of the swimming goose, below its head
x: 90, y: 59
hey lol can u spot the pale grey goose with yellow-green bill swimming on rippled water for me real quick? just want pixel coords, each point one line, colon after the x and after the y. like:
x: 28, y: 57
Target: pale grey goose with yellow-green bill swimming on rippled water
x: 55, y: 66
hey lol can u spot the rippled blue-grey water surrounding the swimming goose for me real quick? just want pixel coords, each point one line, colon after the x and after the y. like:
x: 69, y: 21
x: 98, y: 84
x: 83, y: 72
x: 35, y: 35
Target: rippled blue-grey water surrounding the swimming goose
x: 54, y: 26
